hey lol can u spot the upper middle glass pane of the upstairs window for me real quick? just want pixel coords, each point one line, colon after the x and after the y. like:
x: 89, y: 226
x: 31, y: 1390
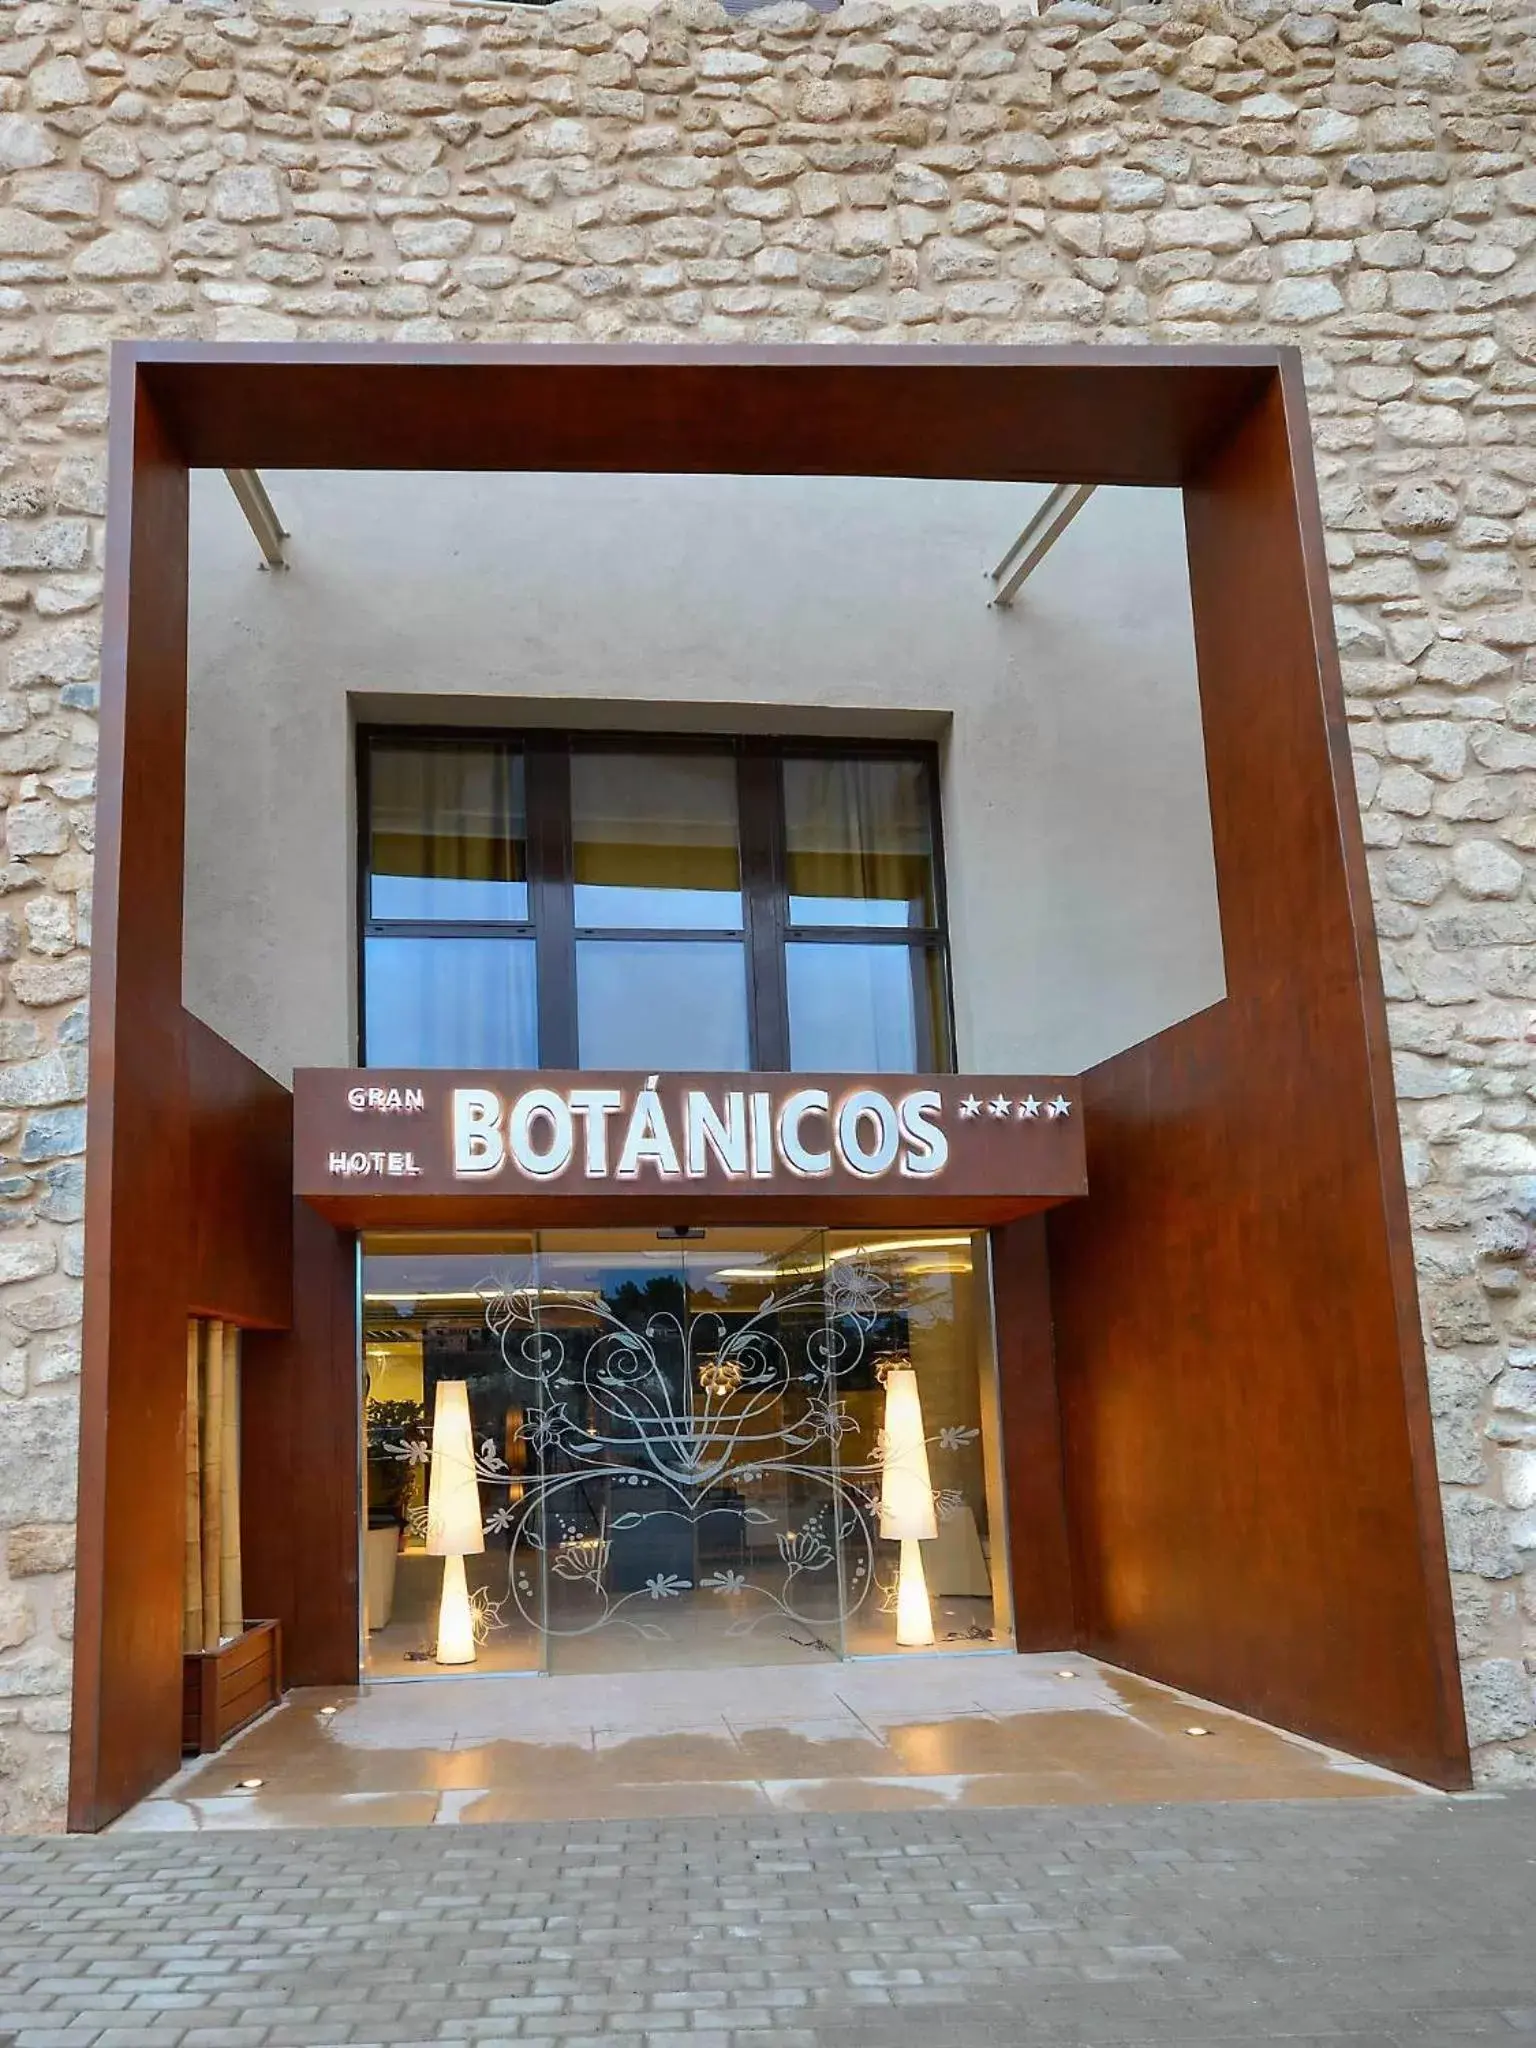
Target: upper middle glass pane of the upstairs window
x: 656, y: 843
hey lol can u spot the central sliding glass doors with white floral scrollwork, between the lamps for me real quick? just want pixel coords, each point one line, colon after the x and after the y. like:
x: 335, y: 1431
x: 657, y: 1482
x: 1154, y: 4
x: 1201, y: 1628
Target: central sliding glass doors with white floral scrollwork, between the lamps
x: 691, y: 1492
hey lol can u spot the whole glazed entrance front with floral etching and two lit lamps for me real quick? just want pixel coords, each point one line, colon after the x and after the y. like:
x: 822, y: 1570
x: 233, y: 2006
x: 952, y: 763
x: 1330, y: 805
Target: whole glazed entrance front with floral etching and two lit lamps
x: 740, y: 1447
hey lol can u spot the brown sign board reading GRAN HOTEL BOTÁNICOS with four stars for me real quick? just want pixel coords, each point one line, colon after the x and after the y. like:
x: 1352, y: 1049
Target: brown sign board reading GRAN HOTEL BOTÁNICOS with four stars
x: 722, y: 1142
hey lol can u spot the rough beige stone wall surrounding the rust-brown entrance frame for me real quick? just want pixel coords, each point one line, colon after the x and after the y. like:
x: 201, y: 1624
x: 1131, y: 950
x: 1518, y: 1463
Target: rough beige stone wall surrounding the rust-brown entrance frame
x: 1187, y: 171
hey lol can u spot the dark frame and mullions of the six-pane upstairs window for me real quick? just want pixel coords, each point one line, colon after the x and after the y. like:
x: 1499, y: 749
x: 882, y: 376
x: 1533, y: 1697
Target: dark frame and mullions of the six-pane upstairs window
x: 767, y: 929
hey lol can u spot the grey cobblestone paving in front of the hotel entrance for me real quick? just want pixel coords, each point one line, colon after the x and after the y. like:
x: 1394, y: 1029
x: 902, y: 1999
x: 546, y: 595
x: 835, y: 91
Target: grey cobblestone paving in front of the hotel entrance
x: 1385, y: 1924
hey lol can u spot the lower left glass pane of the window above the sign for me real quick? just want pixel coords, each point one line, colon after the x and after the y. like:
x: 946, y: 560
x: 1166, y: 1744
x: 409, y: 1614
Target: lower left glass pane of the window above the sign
x: 450, y: 1002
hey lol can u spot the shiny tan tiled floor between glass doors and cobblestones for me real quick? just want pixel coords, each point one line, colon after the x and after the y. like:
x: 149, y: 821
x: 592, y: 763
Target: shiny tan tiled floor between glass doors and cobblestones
x: 853, y: 1738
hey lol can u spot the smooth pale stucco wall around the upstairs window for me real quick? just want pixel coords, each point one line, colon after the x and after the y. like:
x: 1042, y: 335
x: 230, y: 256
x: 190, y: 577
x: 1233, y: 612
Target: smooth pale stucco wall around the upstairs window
x: 1076, y: 830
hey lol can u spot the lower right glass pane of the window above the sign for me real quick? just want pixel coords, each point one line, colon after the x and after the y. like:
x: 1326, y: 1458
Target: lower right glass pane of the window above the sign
x: 865, y: 1009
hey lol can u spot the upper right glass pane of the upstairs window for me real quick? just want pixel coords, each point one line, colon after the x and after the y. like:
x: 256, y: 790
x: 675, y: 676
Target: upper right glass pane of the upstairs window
x: 859, y: 843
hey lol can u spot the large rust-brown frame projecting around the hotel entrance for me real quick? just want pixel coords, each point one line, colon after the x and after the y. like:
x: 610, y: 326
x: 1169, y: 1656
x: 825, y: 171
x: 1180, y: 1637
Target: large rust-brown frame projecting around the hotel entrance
x: 1215, y: 1402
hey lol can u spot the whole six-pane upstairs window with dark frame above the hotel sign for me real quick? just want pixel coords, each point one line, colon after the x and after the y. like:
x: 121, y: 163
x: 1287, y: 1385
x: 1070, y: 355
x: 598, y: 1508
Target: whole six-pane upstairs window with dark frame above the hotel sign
x: 615, y: 904
